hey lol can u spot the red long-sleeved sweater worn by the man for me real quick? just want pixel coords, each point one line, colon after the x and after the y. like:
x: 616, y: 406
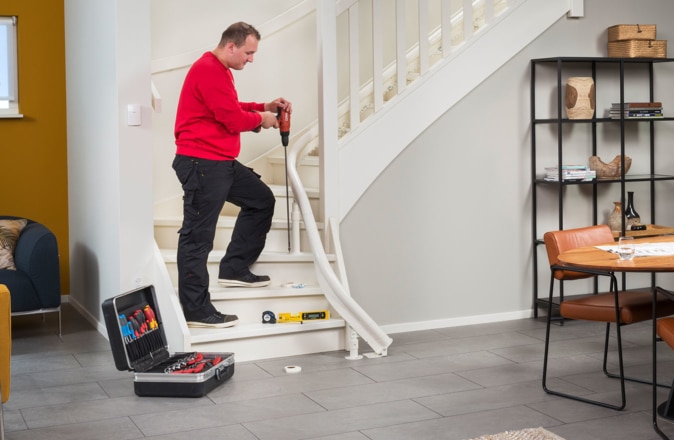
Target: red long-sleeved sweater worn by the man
x: 210, y: 117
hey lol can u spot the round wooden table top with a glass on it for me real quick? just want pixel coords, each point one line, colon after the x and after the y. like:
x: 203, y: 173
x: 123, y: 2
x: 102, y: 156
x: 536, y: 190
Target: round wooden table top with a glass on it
x: 592, y: 258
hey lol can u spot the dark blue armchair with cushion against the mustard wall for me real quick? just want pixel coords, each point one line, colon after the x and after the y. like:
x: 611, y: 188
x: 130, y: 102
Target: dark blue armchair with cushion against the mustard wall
x: 35, y: 285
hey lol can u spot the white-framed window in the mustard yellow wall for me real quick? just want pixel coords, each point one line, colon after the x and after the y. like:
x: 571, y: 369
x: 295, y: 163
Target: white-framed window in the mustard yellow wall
x: 9, y: 90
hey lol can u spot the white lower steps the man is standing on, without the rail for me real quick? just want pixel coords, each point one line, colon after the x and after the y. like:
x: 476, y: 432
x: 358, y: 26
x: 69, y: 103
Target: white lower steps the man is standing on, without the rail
x: 295, y: 287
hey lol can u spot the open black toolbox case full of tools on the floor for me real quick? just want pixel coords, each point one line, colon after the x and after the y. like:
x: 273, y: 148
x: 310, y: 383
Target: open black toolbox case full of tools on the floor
x: 139, y: 345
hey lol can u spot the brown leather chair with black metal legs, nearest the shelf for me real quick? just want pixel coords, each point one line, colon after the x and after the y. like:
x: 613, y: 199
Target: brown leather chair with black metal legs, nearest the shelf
x: 613, y: 306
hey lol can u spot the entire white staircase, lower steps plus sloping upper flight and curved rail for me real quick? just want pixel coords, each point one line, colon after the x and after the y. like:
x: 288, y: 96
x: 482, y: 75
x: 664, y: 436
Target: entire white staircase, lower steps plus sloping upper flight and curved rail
x: 300, y: 280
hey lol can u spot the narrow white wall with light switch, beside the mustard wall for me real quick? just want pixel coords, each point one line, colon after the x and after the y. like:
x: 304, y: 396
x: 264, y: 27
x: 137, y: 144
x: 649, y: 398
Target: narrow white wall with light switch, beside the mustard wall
x: 109, y: 163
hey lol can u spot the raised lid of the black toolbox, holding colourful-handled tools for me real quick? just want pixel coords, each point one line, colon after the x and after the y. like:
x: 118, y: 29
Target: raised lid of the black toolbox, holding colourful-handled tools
x: 135, y: 329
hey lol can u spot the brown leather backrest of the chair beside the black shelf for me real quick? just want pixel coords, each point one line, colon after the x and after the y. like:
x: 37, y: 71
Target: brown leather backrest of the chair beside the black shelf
x: 557, y: 242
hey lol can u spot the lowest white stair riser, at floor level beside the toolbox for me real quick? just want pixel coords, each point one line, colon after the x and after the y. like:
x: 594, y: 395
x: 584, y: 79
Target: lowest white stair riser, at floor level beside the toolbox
x: 276, y: 346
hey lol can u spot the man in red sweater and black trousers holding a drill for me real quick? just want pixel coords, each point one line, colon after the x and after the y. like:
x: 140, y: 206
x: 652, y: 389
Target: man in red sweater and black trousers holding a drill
x: 209, y: 121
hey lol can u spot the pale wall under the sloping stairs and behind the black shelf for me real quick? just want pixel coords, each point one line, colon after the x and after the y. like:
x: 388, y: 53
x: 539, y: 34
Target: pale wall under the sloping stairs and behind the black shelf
x: 448, y: 223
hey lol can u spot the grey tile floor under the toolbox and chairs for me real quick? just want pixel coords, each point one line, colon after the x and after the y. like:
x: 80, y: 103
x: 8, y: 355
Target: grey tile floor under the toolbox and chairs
x: 453, y: 383
